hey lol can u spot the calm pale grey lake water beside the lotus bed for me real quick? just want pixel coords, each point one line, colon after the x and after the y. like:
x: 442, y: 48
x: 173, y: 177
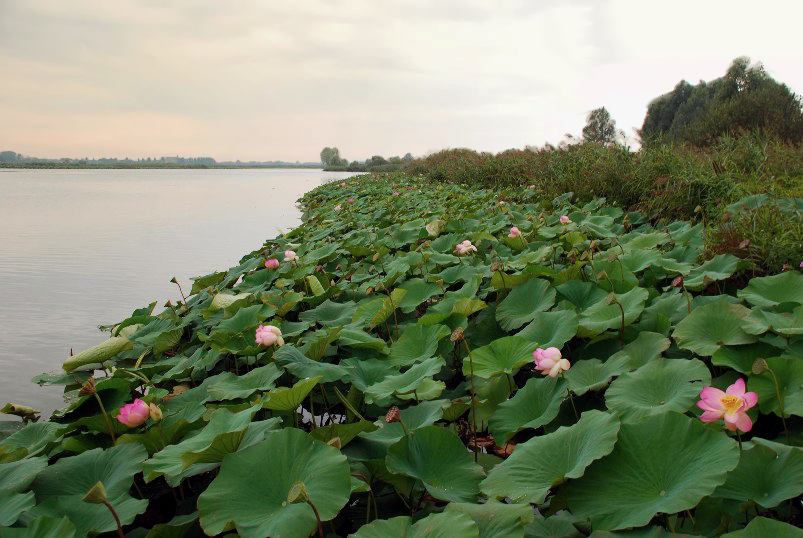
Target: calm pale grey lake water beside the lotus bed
x: 80, y: 248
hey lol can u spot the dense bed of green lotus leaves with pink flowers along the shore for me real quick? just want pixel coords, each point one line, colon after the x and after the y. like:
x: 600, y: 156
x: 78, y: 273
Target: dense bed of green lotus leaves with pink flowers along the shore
x: 370, y: 373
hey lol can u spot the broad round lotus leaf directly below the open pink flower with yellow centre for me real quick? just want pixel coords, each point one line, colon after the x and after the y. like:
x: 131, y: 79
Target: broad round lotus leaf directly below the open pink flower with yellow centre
x: 663, y: 464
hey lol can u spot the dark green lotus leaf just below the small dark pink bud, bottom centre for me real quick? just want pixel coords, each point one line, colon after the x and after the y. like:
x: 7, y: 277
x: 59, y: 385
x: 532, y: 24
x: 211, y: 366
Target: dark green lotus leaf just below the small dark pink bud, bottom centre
x: 438, y: 458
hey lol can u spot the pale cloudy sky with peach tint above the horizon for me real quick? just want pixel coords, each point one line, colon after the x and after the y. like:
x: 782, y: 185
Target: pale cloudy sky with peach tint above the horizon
x: 280, y: 79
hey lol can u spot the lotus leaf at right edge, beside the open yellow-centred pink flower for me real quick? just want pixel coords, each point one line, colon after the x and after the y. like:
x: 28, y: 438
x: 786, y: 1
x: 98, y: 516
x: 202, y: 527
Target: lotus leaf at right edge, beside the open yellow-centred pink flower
x: 789, y: 372
